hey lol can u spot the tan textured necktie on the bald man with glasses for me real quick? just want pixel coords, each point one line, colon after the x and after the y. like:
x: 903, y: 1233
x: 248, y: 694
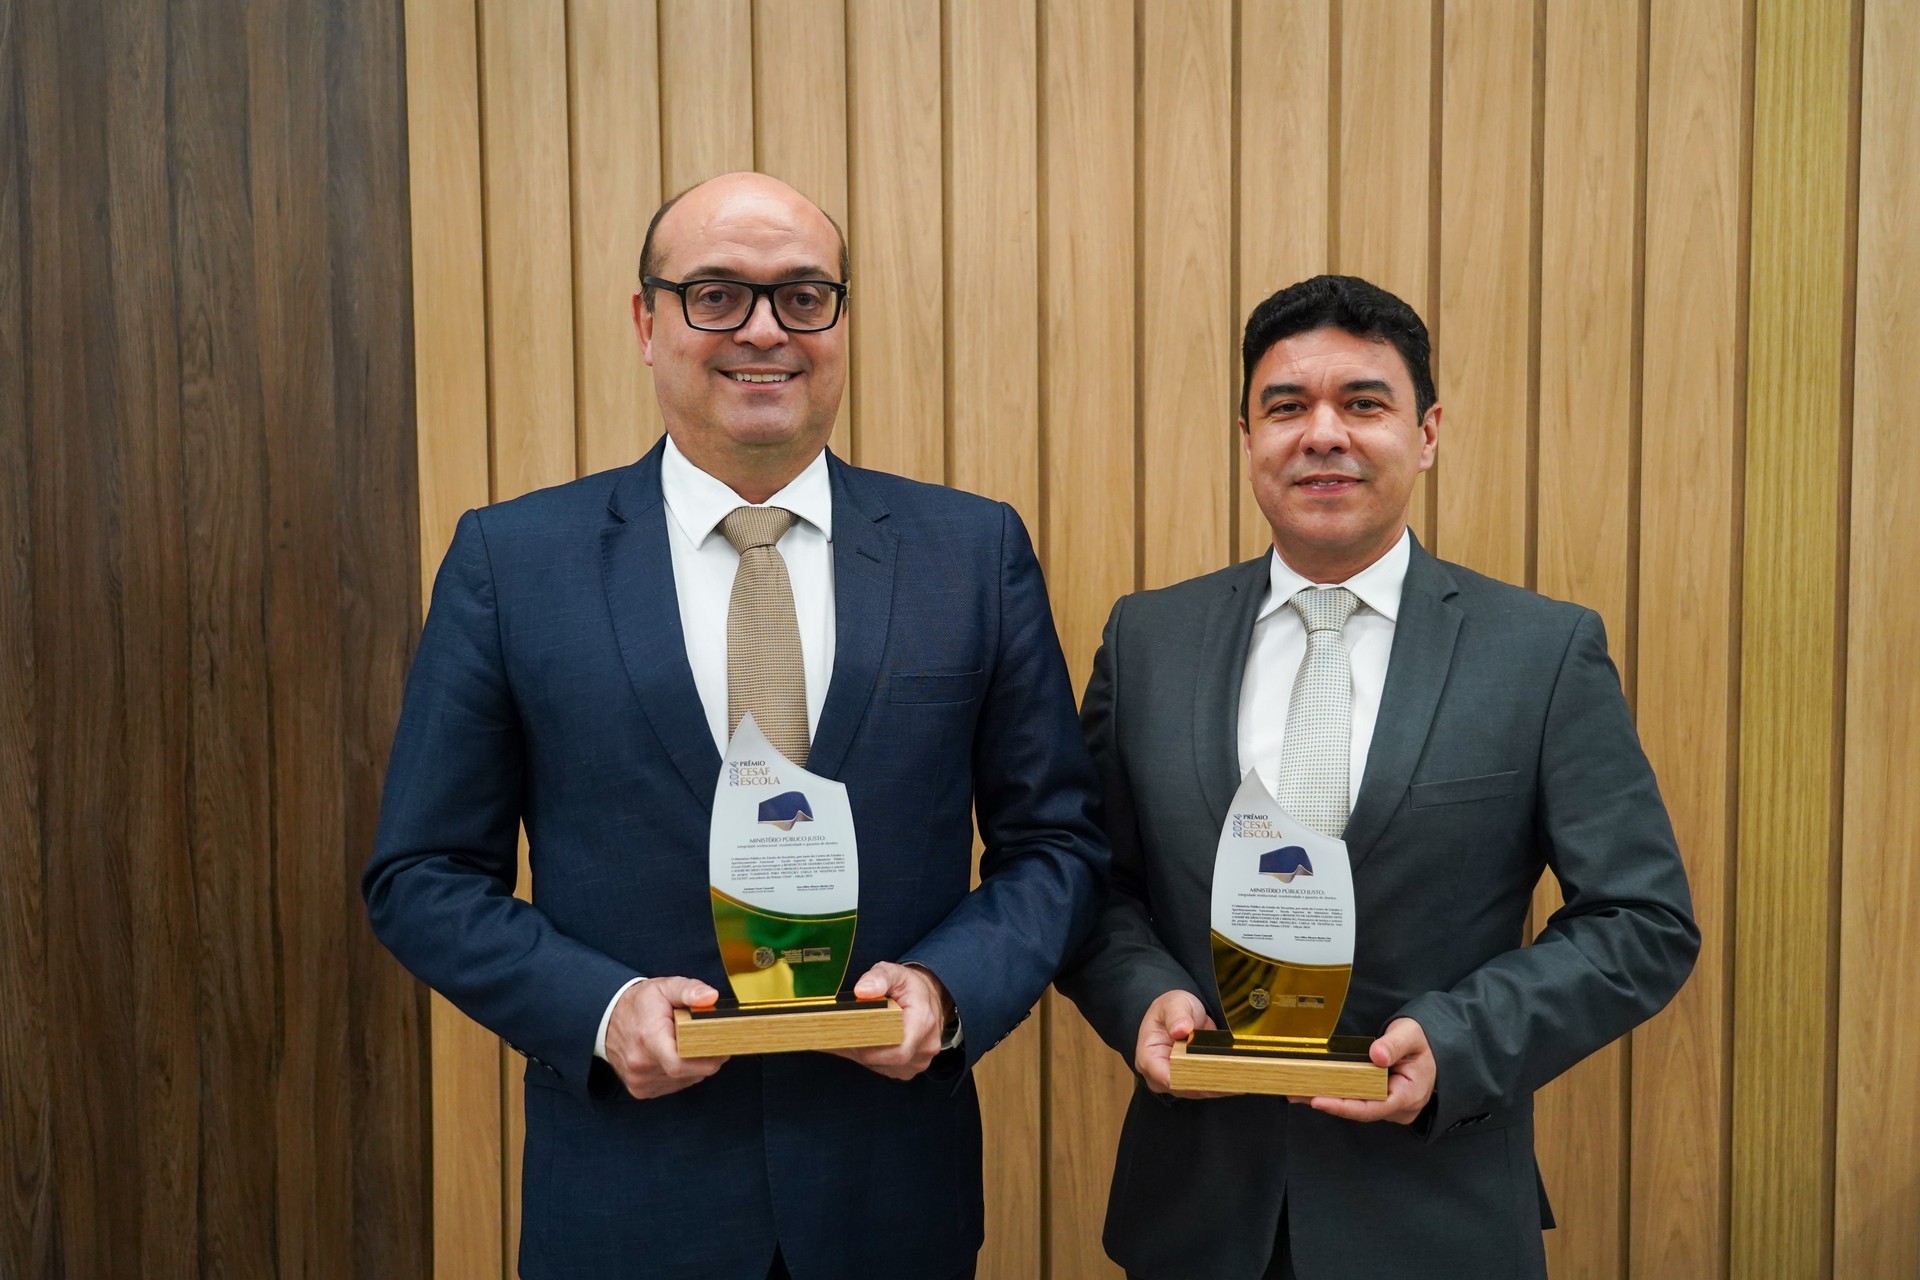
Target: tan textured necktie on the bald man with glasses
x: 765, y: 673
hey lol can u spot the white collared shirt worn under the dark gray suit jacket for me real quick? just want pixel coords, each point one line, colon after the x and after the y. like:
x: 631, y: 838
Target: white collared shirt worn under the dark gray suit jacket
x: 1280, y: 646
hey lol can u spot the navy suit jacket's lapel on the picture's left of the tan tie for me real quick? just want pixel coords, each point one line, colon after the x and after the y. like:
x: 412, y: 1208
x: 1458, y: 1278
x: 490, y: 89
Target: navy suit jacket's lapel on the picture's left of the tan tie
x: 638, y: 571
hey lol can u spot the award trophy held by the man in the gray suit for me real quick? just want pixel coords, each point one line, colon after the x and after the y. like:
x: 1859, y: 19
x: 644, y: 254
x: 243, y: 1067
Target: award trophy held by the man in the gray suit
x: 1284, y: 955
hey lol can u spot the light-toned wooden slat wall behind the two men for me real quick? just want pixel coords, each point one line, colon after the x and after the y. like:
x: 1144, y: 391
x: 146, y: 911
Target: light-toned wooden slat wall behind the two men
x: 1671, y: 262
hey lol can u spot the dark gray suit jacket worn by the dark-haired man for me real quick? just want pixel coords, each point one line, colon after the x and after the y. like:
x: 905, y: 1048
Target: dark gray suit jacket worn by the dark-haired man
x: 1502, y: 747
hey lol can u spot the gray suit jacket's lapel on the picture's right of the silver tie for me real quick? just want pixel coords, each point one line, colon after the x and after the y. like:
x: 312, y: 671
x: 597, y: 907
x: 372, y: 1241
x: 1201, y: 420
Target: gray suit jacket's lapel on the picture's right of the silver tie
x: 1416, y: 675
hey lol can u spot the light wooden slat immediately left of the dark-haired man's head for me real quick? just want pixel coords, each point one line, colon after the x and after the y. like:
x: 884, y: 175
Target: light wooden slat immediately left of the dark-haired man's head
x: 1188, y: 287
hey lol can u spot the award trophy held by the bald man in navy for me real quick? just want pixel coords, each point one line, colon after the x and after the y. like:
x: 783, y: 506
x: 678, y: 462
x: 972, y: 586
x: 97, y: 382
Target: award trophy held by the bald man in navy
x: 784, y: 884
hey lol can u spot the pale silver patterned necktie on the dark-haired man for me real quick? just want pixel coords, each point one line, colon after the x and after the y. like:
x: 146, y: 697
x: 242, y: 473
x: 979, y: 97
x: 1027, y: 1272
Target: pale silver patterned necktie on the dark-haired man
x: 1320, y: 717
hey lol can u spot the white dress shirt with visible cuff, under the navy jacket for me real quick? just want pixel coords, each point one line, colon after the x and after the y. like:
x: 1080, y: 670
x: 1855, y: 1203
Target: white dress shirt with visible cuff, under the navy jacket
x: 704, y: 582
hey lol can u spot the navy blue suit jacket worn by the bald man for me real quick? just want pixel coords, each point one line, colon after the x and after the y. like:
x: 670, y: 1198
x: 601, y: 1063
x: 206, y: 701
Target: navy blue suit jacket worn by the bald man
x: 552, y: 688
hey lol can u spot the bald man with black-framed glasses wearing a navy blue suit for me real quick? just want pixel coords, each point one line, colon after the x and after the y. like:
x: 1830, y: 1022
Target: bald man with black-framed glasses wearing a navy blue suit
x: 573, y: 676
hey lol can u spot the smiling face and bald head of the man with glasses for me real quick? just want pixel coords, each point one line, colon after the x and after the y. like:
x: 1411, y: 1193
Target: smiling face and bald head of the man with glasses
x: 746, y: 400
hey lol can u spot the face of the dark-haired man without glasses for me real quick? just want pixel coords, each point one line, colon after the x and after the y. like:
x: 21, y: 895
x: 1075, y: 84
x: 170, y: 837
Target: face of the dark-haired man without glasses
x: 1333, y: 450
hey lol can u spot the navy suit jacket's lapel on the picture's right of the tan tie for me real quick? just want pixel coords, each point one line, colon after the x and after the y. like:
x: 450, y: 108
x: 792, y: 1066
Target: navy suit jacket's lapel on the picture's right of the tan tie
x: 865, y: 554
